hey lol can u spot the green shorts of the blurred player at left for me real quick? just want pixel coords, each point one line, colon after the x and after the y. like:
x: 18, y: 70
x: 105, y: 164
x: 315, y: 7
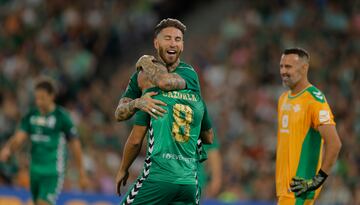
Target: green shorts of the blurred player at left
x: 46, y: 188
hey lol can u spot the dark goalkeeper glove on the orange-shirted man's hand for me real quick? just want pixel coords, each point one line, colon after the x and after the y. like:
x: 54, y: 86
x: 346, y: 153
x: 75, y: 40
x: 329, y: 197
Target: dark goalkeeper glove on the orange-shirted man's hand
x: 300, y: 185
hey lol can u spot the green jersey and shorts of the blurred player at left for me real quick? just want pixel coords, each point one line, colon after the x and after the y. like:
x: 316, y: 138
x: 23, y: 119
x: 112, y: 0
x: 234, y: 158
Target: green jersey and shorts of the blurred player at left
x: 48, y: 135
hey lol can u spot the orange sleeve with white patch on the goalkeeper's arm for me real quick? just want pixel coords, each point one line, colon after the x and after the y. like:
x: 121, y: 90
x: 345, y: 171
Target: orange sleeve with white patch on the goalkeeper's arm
x: 321, y: 114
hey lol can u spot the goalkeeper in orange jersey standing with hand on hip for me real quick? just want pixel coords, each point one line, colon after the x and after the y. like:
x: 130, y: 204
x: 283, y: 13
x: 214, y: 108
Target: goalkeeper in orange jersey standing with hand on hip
x: 305, y: 125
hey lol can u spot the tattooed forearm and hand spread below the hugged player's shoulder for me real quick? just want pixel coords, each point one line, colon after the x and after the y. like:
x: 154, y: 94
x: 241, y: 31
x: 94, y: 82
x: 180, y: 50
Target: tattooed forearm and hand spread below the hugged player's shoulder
x: 127, y: 106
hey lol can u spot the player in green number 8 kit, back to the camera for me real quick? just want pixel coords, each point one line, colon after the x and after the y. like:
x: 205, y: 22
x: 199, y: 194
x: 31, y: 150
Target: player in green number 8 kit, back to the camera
x: 170, y: 169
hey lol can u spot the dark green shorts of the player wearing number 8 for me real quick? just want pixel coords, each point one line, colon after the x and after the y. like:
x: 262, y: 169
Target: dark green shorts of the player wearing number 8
x: 160, y: 193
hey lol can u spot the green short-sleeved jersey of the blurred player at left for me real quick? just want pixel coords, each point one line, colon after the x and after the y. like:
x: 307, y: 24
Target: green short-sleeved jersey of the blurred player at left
x: 48, y: 134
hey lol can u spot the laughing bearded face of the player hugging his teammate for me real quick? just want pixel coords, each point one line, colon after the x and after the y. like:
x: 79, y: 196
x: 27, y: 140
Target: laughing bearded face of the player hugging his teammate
x: 169, y: 44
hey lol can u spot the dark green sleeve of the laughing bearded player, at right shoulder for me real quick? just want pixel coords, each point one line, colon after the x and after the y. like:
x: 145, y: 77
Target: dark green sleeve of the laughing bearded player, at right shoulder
x: 191, y: 78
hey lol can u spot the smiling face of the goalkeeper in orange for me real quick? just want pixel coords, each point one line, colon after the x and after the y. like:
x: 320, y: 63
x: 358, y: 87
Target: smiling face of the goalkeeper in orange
x: 293, y: 71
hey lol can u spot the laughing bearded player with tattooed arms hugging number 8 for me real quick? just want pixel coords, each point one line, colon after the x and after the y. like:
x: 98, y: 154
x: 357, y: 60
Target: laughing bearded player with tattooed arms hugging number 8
x: 169, y: 44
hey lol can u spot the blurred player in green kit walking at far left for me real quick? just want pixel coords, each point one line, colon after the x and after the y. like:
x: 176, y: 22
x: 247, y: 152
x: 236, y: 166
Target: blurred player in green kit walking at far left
x: 48, y: 127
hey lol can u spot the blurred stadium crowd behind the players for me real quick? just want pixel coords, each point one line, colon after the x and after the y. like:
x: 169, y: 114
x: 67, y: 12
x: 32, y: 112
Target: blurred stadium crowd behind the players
x: 90, y: 48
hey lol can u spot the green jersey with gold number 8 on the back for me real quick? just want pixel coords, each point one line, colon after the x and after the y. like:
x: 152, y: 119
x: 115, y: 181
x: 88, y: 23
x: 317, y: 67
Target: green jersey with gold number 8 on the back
x: 172, y: 140
